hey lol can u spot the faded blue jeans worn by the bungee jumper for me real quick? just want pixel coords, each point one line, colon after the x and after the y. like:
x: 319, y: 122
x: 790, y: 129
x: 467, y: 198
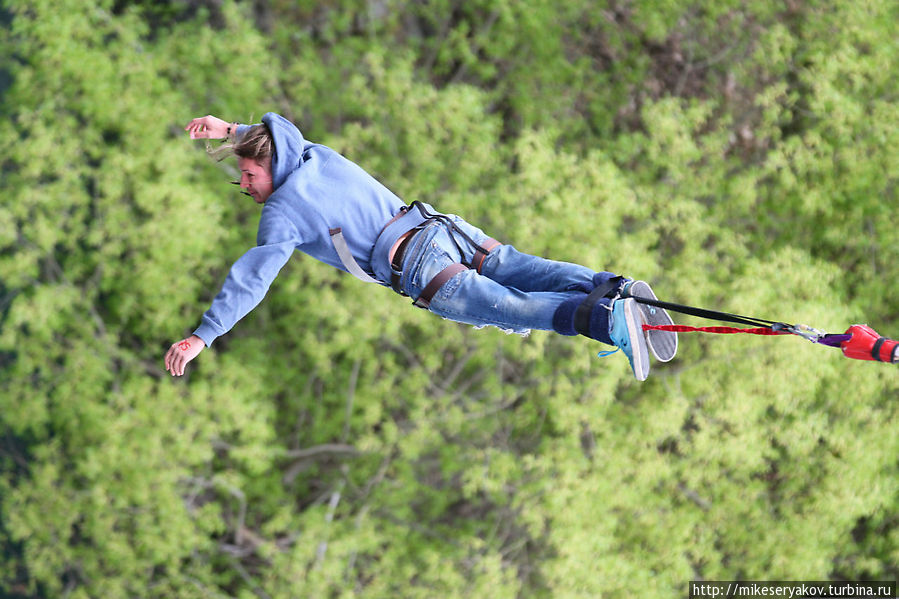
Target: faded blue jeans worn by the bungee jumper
x: 515, y: 291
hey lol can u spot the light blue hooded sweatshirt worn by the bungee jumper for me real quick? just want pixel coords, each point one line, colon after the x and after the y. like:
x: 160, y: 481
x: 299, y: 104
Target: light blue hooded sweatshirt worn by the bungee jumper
x: 315, y: 190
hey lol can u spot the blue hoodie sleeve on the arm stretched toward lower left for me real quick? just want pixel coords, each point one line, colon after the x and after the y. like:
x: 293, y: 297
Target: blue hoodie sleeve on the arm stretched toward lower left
x: 251, y: 276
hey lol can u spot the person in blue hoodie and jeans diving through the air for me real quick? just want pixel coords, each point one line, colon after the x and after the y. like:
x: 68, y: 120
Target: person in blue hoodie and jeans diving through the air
x: 316, y: 201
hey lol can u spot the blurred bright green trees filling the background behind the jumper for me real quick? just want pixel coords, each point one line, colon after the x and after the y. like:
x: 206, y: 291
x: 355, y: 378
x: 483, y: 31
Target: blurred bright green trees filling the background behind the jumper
x: 338, y: 443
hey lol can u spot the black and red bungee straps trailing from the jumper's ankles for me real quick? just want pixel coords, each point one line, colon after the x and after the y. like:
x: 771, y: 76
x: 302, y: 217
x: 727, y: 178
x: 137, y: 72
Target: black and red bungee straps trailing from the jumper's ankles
x: 859, y: 342
